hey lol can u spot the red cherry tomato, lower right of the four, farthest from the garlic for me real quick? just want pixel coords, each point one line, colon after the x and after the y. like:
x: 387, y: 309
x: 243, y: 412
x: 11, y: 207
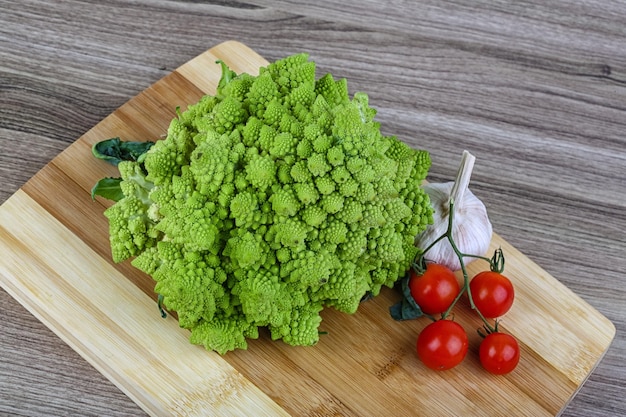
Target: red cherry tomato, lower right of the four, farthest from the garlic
x: 499, y: 353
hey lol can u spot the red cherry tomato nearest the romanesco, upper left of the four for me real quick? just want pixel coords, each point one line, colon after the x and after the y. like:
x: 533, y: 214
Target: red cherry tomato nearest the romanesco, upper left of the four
x: 434, y: 290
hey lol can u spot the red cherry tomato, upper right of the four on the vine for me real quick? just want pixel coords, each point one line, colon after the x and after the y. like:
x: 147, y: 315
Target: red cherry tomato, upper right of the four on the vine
x: 493, y: 293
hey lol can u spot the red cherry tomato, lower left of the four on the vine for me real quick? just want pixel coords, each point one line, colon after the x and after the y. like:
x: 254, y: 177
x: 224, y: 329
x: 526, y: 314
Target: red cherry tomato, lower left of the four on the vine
x: 442, y: 345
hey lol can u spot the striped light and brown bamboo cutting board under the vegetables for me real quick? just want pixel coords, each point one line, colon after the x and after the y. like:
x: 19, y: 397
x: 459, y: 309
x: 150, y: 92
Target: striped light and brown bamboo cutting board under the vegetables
x: 56, y: 262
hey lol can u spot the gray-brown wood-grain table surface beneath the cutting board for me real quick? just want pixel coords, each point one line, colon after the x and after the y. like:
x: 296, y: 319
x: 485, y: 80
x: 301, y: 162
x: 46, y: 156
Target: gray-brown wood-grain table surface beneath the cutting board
x: 535, y: 90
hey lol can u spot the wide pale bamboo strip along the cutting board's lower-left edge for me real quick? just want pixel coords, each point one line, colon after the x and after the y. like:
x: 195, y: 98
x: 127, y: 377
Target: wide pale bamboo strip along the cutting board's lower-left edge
x: 103, y: 317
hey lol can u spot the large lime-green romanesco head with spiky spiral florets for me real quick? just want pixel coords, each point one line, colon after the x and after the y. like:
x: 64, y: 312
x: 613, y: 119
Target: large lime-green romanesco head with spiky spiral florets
x: 265, y: 203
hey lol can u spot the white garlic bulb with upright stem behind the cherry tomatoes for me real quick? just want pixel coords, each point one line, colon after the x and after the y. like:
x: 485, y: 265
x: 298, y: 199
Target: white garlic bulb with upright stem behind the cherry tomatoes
x: 471, y: 227
